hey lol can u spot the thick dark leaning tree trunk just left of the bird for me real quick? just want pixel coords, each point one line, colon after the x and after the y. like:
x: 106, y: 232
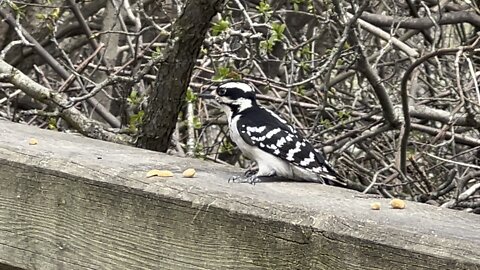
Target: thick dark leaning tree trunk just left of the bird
x: 174, y: 73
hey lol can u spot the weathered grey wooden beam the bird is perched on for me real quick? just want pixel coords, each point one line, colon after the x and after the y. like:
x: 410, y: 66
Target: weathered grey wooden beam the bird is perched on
x: 75, y: 203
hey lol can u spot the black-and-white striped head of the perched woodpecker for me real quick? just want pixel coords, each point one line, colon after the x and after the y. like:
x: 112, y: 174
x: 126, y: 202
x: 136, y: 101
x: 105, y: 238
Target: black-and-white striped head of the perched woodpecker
x: 235, y: 97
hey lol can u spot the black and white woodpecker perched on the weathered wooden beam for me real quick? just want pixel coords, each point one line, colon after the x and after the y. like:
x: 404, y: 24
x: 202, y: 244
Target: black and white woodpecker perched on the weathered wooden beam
x: 264, y: 137
